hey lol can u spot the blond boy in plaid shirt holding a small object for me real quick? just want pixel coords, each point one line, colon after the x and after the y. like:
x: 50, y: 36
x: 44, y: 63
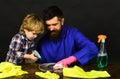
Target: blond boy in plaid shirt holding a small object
x: 22, y: 45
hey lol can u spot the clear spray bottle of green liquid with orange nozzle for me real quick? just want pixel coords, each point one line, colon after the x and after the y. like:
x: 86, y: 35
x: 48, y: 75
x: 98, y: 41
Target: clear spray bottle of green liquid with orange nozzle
x: 102, y: 59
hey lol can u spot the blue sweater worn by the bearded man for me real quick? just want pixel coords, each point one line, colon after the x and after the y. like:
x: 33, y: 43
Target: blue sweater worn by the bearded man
x: 71, y: 43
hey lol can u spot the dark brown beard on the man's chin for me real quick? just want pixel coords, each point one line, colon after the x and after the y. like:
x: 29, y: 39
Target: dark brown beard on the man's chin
x: 54, y: 35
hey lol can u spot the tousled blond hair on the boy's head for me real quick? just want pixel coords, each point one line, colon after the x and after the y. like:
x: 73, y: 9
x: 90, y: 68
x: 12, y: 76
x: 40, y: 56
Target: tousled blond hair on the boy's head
x: 32, y: 23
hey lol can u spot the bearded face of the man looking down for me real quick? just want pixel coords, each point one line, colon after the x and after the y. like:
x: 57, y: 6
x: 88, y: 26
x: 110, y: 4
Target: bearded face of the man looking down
x: 54, y: 27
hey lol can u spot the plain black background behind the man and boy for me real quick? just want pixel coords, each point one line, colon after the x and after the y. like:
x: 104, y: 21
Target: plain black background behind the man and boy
x: 92, y: 17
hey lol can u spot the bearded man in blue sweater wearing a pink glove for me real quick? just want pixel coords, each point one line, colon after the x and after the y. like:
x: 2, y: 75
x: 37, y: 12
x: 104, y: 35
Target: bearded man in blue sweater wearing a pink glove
x: 63, y: 45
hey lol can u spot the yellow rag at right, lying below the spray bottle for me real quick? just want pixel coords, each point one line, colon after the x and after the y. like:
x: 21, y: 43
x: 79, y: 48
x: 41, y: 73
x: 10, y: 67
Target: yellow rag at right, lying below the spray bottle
x: 78, y: 72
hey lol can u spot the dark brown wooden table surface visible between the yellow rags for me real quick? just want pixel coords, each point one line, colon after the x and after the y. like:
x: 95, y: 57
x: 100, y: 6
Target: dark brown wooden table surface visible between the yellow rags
x: 113, y: 69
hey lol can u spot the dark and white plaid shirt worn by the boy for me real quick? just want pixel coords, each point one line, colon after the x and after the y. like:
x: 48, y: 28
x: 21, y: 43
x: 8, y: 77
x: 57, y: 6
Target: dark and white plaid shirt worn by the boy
x: 19, y: 46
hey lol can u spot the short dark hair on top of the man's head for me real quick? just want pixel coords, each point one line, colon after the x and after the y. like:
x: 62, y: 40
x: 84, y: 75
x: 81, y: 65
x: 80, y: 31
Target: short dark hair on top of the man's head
x: 52, y: 11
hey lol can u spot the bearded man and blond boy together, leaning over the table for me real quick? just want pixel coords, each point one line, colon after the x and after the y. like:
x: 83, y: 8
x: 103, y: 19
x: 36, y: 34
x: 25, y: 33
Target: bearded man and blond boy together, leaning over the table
x: 60, y: 44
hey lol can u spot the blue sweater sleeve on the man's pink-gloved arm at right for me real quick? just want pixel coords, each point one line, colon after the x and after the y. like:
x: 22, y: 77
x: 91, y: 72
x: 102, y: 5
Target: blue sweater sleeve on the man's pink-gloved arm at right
x: 87, y: 50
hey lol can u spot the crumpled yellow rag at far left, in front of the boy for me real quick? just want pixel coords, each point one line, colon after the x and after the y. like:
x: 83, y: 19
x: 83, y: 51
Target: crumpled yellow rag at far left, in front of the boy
x: 8, y: 69
